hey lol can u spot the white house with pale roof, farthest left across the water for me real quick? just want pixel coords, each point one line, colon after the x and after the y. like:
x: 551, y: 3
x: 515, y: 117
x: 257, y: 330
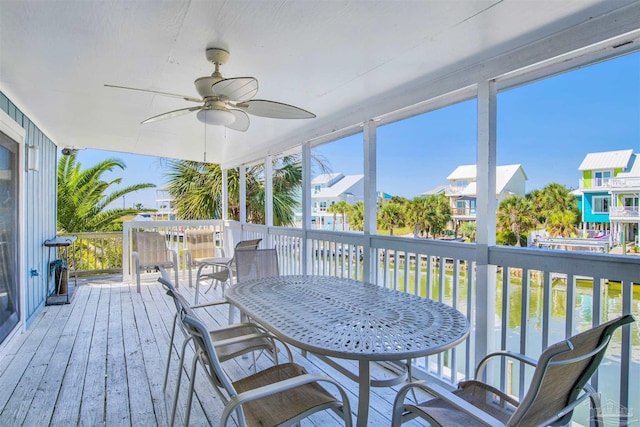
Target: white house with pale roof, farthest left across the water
x: 330, y: 188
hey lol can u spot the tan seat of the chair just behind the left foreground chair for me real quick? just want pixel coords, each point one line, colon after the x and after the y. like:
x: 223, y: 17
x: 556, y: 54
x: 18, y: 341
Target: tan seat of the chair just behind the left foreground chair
x: 235, y: 349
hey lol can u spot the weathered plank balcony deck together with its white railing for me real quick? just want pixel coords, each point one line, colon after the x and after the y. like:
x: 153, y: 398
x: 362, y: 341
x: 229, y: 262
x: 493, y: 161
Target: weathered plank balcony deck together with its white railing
x: 75, y: 361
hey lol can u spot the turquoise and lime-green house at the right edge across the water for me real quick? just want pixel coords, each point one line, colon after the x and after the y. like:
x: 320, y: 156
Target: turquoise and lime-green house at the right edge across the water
x: 608, y: 194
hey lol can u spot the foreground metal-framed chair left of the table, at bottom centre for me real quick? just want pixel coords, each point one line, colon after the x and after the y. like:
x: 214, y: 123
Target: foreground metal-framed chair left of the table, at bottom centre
x: 281, y: 395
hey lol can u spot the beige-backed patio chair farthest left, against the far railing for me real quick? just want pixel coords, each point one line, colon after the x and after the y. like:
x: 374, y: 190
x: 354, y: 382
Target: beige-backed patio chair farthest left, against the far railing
x: 150, y: 252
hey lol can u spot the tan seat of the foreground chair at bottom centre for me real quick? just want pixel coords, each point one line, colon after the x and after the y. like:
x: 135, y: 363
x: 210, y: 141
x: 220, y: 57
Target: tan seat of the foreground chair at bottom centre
x: 278, y: 408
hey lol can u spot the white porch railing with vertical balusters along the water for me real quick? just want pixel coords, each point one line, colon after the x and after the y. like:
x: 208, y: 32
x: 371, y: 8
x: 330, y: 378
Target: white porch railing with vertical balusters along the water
x: 543, y: 296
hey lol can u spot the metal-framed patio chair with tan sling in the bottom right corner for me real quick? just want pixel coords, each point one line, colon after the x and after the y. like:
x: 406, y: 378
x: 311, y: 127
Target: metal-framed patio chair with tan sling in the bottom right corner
x: 558, y: 385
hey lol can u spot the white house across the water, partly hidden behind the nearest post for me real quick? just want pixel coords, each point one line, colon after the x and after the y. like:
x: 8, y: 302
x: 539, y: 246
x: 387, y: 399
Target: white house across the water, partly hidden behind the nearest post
x: 462, y: 189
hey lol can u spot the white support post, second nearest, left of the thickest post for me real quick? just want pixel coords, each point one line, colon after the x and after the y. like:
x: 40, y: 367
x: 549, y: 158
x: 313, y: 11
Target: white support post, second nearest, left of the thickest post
x: 370, y: 208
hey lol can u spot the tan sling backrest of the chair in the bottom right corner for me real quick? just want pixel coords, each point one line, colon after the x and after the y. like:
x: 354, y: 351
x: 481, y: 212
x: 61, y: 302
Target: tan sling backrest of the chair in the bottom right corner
x: 562, y: 371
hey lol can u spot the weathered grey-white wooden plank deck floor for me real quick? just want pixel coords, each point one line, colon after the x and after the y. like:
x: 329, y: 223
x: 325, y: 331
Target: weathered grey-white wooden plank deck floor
x: 100, y: 361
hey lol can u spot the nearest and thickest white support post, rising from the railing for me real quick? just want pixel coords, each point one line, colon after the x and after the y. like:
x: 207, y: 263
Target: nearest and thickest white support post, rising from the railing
x: 485, y: 220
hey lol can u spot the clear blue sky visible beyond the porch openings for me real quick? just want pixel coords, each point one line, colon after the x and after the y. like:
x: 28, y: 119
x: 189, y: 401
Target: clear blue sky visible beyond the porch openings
x: 547, y: 127
